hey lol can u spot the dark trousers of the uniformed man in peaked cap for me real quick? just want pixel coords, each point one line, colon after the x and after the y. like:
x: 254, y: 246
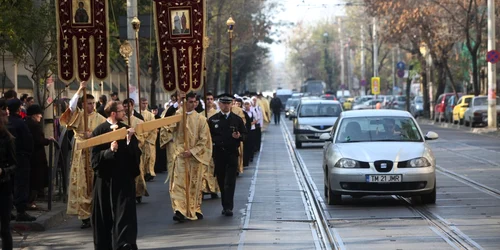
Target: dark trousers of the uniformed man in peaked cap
x: 225, y: 169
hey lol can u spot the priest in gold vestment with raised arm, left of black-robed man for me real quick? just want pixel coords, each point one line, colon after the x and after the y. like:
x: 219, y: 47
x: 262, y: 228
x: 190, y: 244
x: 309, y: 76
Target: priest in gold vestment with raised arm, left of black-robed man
x: 81, y: 174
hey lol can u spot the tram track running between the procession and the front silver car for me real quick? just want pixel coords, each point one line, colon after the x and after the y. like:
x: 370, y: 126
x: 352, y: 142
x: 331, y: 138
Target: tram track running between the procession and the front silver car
x: 327, y: 238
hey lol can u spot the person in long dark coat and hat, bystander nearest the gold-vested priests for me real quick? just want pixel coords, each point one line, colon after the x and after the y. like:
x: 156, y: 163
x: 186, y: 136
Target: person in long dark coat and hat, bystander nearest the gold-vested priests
x: 39, y: 166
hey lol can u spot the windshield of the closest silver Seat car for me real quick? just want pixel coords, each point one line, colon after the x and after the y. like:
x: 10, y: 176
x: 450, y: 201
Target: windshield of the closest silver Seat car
x: 371, y: 129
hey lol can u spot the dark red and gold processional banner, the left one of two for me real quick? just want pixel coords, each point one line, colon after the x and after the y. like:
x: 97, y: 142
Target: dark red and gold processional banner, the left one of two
x: 82, y: 39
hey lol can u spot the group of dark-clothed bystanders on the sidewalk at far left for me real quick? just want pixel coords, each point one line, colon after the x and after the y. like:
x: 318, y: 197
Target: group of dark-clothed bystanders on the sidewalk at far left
x: 23, y: 167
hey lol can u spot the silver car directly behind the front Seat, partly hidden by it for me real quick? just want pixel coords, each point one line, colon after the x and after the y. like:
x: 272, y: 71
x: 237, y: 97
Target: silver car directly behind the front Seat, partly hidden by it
x: 314, y: 117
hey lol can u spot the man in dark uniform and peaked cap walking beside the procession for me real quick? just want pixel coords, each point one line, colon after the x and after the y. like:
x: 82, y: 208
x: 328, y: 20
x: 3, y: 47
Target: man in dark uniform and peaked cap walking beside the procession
x: 228, y: 131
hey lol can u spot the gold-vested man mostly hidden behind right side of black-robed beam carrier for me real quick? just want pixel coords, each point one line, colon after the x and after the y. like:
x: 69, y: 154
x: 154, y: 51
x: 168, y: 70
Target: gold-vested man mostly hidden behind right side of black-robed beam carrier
x: 140, y: 183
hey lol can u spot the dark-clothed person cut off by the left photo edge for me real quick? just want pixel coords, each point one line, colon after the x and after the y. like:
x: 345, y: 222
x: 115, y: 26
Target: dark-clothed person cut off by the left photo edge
x: 7, y: 166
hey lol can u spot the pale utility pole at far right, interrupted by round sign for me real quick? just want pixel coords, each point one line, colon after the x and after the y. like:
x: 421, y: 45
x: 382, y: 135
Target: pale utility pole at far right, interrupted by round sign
x: 492, y: 102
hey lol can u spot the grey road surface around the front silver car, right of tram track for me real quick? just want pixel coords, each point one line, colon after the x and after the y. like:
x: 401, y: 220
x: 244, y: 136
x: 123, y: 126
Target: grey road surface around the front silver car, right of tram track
x: 465, y: 214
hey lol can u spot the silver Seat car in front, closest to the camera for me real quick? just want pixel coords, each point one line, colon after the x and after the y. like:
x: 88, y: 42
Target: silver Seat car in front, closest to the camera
x: 378, y: 152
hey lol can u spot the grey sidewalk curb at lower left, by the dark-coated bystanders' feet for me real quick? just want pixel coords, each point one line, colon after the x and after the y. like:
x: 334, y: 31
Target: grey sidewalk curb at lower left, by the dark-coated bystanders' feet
x: 45, y: 221
